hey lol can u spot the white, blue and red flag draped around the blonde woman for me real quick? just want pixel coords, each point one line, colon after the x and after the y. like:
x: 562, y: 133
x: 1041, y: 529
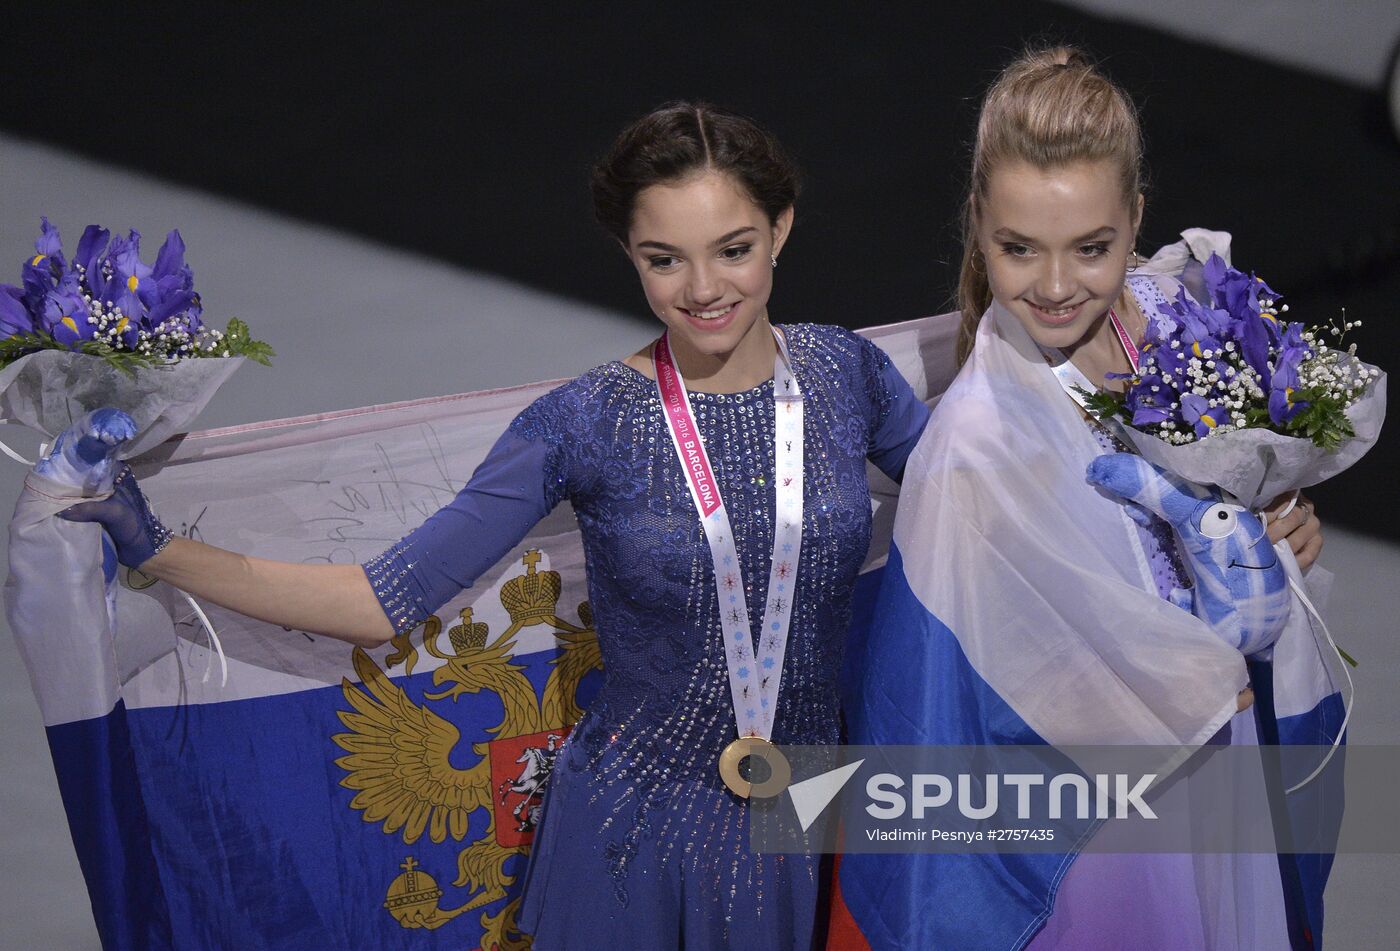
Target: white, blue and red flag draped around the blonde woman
x: 1017, y: 609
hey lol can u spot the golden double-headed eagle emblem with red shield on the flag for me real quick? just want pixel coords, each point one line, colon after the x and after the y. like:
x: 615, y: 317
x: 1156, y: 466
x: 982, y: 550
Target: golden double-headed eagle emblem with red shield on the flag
x: 400, y: 756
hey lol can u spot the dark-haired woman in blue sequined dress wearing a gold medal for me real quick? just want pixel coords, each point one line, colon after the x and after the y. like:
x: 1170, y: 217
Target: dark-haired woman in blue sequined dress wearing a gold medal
x: 719, y: 478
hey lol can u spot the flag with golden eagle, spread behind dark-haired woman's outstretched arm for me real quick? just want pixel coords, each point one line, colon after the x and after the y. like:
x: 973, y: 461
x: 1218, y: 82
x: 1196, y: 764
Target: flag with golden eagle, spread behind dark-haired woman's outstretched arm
x: 325, y: 796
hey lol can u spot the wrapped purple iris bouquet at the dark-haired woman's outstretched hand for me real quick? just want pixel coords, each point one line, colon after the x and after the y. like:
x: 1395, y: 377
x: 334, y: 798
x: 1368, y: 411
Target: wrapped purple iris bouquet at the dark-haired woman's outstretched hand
x: 107, y: 330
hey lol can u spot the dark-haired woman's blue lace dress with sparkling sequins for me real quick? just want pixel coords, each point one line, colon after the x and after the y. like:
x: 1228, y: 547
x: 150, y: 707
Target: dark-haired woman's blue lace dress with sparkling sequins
x: 640, y: 844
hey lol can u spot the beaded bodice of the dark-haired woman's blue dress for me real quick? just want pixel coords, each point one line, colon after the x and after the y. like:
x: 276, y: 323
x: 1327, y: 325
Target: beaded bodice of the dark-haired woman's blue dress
x: 666, y: 701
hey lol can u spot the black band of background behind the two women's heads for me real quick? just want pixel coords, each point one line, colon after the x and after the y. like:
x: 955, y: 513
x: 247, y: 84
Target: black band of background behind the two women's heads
x: 465, y: 132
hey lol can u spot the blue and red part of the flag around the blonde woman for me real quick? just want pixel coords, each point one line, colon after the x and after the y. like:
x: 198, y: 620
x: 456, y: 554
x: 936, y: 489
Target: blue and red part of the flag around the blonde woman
x: 999, y: 900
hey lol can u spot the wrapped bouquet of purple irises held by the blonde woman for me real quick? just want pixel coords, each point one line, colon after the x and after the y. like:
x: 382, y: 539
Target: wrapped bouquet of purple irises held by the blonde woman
x: 1230, y: 393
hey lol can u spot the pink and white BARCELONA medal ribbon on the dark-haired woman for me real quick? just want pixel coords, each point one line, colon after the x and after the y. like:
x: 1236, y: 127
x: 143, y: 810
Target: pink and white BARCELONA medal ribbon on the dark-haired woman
x: 754, y: 676
